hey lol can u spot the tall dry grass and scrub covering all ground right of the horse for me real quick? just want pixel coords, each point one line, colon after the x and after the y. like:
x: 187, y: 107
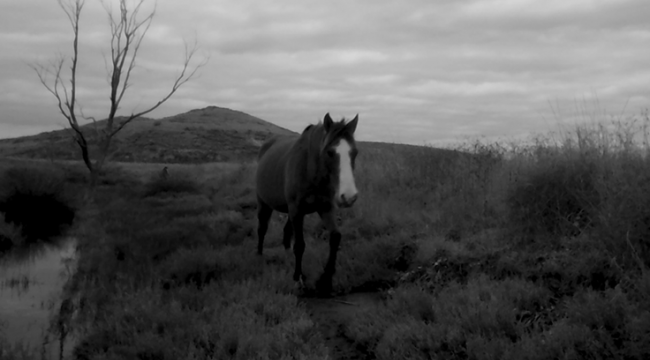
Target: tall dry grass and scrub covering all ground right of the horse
x: 525, y: 250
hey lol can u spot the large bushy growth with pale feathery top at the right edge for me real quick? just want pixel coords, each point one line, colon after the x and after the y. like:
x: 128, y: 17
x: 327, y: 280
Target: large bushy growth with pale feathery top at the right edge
x: 593, y: 180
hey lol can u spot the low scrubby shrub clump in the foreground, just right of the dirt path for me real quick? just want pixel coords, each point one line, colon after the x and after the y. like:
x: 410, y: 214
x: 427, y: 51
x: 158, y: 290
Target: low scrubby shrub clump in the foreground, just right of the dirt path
x: 462, y: 321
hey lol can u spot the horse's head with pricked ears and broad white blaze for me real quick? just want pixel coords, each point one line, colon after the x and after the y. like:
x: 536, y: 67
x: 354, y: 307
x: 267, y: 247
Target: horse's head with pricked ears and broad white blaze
x: 338, y: 154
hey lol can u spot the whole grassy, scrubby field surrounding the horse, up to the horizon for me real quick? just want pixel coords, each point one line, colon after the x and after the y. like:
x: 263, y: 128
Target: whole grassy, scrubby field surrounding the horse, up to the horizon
x: 493, y: 252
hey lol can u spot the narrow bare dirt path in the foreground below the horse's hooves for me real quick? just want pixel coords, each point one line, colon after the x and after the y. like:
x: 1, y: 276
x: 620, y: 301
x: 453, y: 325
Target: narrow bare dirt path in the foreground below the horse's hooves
x: 331, y: 315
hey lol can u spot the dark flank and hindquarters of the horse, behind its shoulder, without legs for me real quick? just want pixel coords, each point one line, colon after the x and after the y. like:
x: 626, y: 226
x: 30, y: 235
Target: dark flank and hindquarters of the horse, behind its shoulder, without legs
x: 270, y: 177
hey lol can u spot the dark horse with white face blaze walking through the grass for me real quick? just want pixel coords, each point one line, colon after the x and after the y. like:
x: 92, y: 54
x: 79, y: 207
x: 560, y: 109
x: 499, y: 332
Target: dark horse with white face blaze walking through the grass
x: 300, y: 175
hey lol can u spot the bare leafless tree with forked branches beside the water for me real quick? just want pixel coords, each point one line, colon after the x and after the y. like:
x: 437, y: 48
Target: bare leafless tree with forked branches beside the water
x: 127, y: 33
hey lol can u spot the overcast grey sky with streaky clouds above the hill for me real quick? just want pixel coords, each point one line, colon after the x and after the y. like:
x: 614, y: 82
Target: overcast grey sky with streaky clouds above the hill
x: 426, y: 71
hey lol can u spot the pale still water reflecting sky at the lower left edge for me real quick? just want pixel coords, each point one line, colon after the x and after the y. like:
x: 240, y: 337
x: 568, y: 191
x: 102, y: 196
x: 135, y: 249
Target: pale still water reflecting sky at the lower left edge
x: 31, y: 283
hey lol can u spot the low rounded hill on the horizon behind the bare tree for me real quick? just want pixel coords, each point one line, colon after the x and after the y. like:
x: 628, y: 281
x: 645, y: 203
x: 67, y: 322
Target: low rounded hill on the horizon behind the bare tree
x: 201, y: 135
